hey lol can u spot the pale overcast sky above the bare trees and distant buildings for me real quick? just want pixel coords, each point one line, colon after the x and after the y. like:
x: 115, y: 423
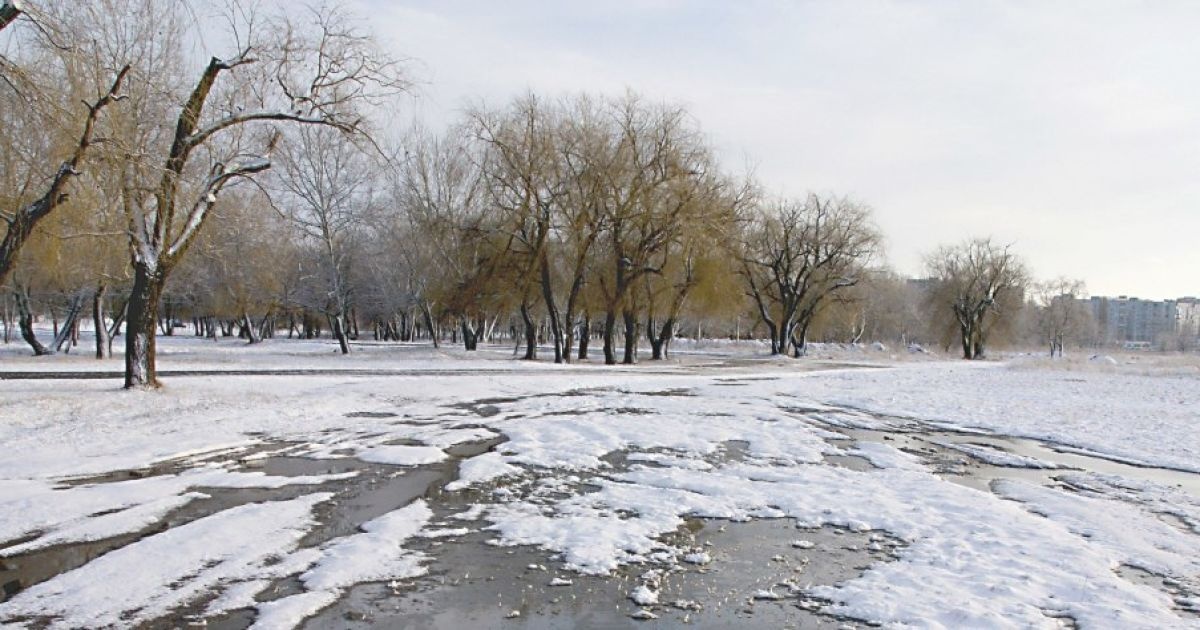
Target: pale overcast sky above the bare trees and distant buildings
x: 1071, y: 130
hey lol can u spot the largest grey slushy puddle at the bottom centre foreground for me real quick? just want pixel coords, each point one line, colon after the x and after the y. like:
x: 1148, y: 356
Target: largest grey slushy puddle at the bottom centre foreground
x: 475, y: 585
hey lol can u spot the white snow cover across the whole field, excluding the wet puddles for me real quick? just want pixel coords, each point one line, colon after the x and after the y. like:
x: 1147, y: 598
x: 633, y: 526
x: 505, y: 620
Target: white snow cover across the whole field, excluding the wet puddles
x: 596, y: 469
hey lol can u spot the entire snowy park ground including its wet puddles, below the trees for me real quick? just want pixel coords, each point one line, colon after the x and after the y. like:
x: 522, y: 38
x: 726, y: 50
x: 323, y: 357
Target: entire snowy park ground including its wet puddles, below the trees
x: 279, y: 499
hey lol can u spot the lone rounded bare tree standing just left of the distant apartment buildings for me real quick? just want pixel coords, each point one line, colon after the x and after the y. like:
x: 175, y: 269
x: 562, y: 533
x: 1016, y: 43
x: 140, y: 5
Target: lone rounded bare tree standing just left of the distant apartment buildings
x: 981, y: 284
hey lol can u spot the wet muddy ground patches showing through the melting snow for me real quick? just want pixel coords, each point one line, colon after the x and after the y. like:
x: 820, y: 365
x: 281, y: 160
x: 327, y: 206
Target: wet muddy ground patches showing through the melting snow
x: 476, y: 585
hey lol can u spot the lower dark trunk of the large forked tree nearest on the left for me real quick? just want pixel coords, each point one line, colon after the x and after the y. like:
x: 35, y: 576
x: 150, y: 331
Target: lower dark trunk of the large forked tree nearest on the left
x: 142, y: 319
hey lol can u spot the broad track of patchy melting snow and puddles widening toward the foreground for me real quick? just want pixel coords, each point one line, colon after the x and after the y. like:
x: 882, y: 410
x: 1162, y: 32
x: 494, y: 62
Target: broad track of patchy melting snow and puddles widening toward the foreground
x: 711, y: 502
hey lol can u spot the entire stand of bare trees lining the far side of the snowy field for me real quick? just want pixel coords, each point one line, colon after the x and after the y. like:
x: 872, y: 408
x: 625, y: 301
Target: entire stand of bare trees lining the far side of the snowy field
x: 250, y: 194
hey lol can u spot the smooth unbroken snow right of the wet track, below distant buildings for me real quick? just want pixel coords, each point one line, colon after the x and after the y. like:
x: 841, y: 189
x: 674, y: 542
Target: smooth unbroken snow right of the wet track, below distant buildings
x: 1148, y: 418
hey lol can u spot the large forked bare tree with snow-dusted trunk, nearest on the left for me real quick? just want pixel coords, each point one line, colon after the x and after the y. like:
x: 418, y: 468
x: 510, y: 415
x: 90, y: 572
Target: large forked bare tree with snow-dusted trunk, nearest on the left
x: 284, y: 71
